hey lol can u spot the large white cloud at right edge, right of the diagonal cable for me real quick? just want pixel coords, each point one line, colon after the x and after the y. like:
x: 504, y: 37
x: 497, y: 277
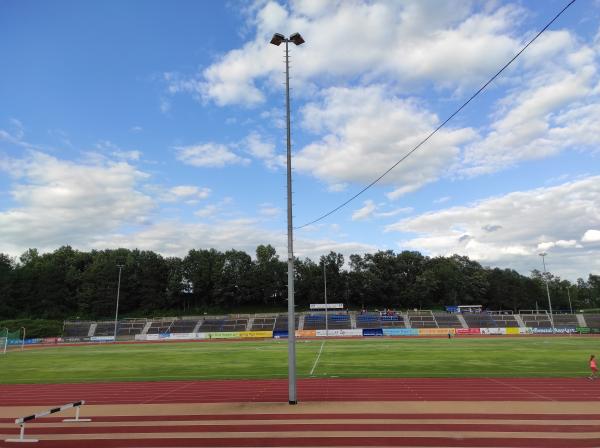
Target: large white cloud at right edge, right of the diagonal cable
x: 555, y: 109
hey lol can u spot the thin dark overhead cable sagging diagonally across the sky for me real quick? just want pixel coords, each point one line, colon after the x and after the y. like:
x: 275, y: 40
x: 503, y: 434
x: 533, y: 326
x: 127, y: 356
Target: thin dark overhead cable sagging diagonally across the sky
x: 432, y: 133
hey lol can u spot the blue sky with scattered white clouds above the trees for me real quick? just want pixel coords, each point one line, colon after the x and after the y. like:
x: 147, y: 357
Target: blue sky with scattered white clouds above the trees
x: 160, y: 125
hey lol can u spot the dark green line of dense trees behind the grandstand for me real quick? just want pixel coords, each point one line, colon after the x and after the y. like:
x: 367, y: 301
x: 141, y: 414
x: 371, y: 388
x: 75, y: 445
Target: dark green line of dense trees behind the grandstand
x: 68, y: 283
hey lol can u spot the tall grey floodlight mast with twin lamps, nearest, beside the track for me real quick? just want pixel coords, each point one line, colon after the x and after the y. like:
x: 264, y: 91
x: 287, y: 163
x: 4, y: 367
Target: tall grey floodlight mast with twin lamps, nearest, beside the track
x: 277, y: 40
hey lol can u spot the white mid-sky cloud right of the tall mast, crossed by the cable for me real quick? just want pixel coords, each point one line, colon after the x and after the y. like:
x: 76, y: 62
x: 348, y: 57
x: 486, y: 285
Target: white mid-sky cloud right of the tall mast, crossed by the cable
x: 366, y: 130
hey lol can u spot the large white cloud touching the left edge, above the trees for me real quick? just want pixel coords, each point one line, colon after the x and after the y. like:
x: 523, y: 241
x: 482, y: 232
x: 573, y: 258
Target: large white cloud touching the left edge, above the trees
x: 61, y: 202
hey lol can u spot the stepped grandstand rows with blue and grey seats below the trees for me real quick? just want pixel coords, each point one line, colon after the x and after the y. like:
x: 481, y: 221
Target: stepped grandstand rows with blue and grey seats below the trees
x: 128, y: 329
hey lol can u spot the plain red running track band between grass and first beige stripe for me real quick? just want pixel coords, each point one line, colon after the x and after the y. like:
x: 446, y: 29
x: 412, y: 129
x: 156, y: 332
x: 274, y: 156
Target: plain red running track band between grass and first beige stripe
x: 229, y: 391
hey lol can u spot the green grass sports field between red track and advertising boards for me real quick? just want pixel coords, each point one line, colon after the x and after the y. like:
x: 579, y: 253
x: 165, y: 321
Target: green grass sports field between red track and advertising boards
x: 345, y: 358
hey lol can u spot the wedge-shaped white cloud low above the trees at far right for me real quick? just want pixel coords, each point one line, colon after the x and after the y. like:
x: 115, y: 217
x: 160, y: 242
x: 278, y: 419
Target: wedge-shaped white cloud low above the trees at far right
x: 510, y: 230
